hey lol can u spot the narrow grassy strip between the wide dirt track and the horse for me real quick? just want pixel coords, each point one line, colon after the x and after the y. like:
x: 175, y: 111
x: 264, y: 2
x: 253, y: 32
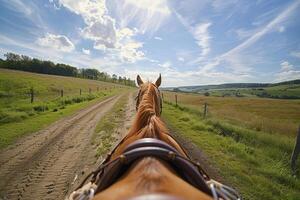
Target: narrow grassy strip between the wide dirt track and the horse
x: 104, y: 137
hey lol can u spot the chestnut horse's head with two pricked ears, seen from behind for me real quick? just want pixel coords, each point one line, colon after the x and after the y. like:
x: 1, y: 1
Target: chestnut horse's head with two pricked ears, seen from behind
x: 149, y: 89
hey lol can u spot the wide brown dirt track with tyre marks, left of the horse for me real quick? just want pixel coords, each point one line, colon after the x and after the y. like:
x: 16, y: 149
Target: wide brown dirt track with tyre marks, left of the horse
x: 43, y: 165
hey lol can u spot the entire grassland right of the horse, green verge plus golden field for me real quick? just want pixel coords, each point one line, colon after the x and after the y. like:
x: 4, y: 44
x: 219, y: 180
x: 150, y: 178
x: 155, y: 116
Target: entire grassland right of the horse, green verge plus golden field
x: 243, y: 139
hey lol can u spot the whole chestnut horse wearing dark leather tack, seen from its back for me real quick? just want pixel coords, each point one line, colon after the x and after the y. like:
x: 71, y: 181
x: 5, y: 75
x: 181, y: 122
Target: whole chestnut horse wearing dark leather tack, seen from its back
x: 149, y: 163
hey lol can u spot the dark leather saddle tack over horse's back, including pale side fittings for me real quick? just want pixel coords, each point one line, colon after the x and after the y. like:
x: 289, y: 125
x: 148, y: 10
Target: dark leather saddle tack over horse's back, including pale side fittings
x: 110, y: 171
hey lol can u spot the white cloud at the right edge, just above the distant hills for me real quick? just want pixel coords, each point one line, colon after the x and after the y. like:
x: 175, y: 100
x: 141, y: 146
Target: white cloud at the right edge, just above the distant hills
x: 287, y: 72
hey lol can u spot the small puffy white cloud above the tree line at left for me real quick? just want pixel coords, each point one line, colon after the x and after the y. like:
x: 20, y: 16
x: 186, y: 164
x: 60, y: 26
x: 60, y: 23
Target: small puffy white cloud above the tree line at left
x: 59, y: 42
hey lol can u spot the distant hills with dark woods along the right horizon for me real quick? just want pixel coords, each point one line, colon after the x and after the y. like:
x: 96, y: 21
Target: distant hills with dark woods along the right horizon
x: 282, y: 90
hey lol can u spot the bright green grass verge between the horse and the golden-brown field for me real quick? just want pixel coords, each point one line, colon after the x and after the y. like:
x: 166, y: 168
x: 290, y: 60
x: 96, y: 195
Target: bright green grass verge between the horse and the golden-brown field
x: 254, y: 162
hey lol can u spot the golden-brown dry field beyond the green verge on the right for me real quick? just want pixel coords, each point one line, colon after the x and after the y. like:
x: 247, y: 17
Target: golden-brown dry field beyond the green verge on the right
x: 274, y: 116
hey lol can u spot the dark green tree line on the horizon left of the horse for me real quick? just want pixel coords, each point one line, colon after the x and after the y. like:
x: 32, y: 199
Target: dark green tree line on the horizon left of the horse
x: 26, y: 63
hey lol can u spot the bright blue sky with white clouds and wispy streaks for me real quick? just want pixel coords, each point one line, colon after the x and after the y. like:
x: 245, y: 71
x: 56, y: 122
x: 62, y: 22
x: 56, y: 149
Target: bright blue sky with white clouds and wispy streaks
x: 190, y: 42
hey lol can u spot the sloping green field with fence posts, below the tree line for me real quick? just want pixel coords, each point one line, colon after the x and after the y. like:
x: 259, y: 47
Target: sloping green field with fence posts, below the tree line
x: 19, y: 117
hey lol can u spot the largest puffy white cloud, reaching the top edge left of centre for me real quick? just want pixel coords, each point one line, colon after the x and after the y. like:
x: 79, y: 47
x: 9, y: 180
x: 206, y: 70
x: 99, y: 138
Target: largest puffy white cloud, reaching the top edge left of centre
x: 117, y: 43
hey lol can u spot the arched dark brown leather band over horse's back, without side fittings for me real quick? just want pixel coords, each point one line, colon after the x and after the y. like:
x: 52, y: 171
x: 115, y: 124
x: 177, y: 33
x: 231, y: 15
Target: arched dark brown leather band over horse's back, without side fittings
x: 150, y: 147
